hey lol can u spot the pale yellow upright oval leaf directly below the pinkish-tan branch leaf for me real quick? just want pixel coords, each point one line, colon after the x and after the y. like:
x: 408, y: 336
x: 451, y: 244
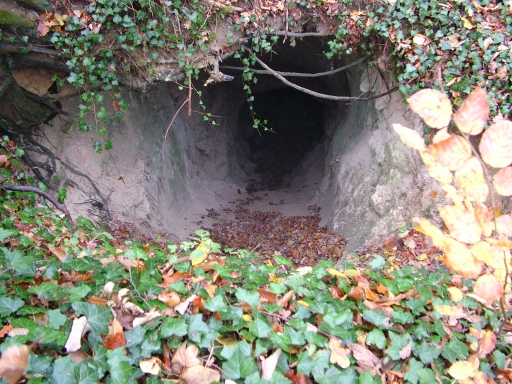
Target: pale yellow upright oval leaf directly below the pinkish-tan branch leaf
x: 471, y: 179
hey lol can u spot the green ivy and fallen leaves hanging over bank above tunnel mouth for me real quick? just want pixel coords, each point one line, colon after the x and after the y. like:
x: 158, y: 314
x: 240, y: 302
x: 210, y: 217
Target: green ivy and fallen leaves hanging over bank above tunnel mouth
x: 453, y: 46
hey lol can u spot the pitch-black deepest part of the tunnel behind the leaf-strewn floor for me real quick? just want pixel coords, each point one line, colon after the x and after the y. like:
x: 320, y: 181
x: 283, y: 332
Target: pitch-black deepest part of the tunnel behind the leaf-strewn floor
x: 295, y: 123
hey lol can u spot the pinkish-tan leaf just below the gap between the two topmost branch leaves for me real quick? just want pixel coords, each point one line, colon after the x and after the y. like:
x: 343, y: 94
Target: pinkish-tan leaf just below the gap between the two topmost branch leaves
x: 451, y: 153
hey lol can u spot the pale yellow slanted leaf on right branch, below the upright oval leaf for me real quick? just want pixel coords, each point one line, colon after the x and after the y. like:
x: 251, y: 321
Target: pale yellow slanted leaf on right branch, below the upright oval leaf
x: 462, y: 224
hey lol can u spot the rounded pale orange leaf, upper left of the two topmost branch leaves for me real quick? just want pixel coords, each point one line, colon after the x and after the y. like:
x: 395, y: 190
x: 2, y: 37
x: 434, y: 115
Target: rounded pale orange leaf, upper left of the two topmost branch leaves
x: 433, y: 107
